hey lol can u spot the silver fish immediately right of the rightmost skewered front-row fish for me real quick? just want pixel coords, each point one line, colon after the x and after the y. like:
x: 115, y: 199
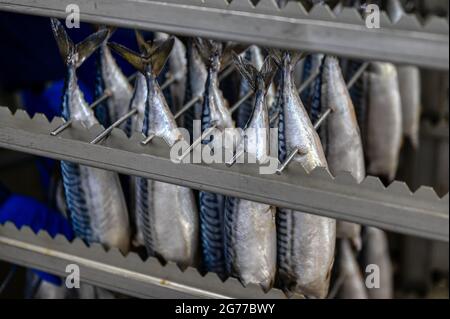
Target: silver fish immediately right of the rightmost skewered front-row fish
x: 344, y: 149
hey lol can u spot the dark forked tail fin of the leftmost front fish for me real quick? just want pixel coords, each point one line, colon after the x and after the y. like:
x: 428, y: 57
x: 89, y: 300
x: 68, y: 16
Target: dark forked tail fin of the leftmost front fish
x: 76, y: 54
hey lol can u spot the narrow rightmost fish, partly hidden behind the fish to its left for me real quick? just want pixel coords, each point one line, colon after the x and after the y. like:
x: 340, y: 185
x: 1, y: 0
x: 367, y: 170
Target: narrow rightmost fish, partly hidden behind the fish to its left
x: 410, y: 93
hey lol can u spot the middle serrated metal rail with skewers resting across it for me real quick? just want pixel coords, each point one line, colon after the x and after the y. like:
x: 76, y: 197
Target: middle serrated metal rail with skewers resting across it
x: 394, y: 208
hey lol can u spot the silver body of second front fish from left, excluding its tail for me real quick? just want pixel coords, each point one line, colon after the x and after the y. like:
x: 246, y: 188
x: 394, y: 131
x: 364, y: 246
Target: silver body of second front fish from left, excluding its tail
x: 167, y: 214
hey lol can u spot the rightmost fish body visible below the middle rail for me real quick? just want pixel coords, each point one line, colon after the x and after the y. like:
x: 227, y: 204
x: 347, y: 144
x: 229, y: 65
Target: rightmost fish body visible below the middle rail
x: 376, y: 252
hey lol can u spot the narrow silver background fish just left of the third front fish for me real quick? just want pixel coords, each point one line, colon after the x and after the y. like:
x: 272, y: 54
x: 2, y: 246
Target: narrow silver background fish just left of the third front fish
x: 198, y: 74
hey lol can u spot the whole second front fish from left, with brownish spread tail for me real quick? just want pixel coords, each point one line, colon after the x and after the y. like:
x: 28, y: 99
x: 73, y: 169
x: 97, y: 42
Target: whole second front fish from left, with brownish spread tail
x: 166, y: 214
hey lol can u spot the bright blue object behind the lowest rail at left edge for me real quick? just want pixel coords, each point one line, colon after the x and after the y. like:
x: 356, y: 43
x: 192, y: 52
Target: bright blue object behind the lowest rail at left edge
x: 23, y: 210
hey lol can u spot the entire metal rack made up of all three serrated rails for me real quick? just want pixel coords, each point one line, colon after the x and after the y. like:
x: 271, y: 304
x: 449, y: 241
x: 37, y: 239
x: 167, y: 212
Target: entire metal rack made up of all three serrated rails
x: 420, y: 213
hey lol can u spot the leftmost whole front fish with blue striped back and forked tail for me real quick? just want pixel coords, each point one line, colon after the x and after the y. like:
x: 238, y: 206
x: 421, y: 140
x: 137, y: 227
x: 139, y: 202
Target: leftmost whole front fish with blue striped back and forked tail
x: 94, y: 197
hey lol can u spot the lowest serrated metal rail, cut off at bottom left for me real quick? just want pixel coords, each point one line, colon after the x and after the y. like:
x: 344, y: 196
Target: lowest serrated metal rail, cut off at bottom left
x: 111, y: 270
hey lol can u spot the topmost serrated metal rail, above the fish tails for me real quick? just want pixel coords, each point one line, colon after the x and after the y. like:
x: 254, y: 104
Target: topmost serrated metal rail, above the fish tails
x: 407, y: 40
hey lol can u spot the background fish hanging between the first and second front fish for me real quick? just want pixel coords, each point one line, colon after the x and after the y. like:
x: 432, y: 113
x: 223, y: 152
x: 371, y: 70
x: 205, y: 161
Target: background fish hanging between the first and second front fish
x: 111, y: 79
